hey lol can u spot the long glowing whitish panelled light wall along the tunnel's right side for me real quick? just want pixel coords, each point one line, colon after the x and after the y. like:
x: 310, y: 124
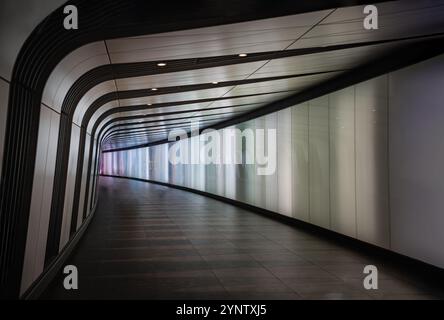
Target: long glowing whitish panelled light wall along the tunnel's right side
x: 365, y: 161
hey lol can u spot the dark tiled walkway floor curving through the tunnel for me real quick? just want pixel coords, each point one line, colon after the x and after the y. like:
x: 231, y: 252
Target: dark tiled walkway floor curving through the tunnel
x: 153, y: 242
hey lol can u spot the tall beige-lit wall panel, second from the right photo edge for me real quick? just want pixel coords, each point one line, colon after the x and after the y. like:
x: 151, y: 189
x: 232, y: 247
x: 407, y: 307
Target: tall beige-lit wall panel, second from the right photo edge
x: 372, y: 203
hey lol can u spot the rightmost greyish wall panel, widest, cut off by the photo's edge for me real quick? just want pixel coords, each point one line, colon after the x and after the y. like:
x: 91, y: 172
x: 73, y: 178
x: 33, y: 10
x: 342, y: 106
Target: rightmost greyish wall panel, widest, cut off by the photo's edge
x: 416, y: 142
